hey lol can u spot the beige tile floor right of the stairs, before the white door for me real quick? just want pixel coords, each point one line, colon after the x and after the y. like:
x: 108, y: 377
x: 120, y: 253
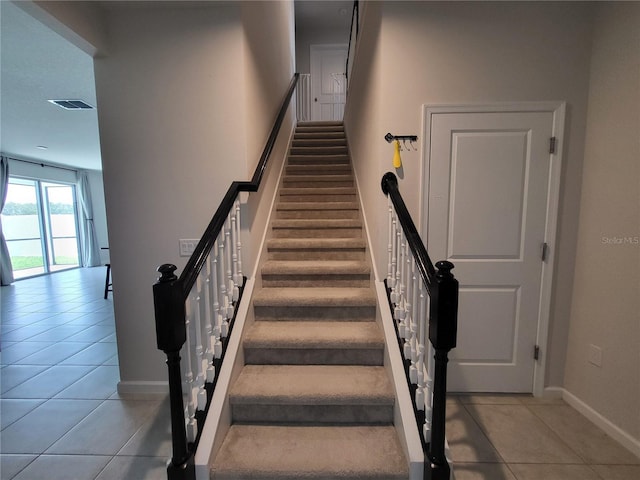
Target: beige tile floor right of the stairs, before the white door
x: 511, y: 437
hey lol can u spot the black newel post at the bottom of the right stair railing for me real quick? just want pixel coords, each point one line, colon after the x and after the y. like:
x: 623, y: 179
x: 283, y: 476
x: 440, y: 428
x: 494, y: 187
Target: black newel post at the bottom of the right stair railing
x: 443, y: 326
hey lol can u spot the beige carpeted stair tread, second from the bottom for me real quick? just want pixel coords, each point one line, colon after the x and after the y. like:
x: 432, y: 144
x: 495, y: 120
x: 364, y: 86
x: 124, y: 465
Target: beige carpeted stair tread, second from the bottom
x: 312, y: 384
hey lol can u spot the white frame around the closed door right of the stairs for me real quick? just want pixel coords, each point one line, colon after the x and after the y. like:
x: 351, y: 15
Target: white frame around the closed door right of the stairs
x: 553, y: 200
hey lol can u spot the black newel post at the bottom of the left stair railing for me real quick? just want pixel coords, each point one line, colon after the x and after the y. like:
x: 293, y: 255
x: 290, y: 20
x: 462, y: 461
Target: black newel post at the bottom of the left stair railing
x: 170, y: 313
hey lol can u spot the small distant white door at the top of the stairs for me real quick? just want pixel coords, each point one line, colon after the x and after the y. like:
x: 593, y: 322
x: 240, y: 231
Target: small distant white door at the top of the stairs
x: 328, y: 81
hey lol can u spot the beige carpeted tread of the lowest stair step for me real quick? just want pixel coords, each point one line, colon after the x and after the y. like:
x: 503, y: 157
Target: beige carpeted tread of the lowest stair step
x: 310, y: 452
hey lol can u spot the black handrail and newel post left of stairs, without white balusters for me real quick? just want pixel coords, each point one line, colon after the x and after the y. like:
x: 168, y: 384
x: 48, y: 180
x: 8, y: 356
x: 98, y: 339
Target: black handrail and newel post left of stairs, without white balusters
x: 171, y: 292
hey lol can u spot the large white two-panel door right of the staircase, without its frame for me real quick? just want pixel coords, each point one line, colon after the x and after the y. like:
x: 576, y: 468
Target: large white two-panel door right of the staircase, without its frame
x: 487, y: 209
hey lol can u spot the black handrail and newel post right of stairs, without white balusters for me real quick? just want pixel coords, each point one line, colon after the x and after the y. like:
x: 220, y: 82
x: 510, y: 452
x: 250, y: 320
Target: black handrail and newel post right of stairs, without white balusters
x: 443, y: 320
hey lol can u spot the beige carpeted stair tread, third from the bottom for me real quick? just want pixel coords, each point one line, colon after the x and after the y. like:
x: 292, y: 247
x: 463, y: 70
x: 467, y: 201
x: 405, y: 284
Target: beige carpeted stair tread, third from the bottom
x: 310, y: 335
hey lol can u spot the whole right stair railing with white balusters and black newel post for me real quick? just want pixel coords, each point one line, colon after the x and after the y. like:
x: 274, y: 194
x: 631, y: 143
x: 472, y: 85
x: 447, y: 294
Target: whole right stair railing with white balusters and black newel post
x: 424, y: 304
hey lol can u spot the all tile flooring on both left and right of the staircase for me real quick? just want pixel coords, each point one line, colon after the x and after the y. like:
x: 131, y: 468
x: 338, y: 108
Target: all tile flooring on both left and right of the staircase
x: 62, y: 418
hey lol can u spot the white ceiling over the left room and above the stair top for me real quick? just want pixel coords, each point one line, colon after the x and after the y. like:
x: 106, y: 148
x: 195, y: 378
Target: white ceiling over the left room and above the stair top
x: 38, y: 65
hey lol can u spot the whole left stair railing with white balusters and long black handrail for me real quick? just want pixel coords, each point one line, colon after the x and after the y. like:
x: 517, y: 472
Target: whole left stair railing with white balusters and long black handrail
x: 195, y: 313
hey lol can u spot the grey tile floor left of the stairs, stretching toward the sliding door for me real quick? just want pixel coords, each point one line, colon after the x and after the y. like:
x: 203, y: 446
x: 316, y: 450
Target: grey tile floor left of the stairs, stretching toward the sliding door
x: 61, y: 417
